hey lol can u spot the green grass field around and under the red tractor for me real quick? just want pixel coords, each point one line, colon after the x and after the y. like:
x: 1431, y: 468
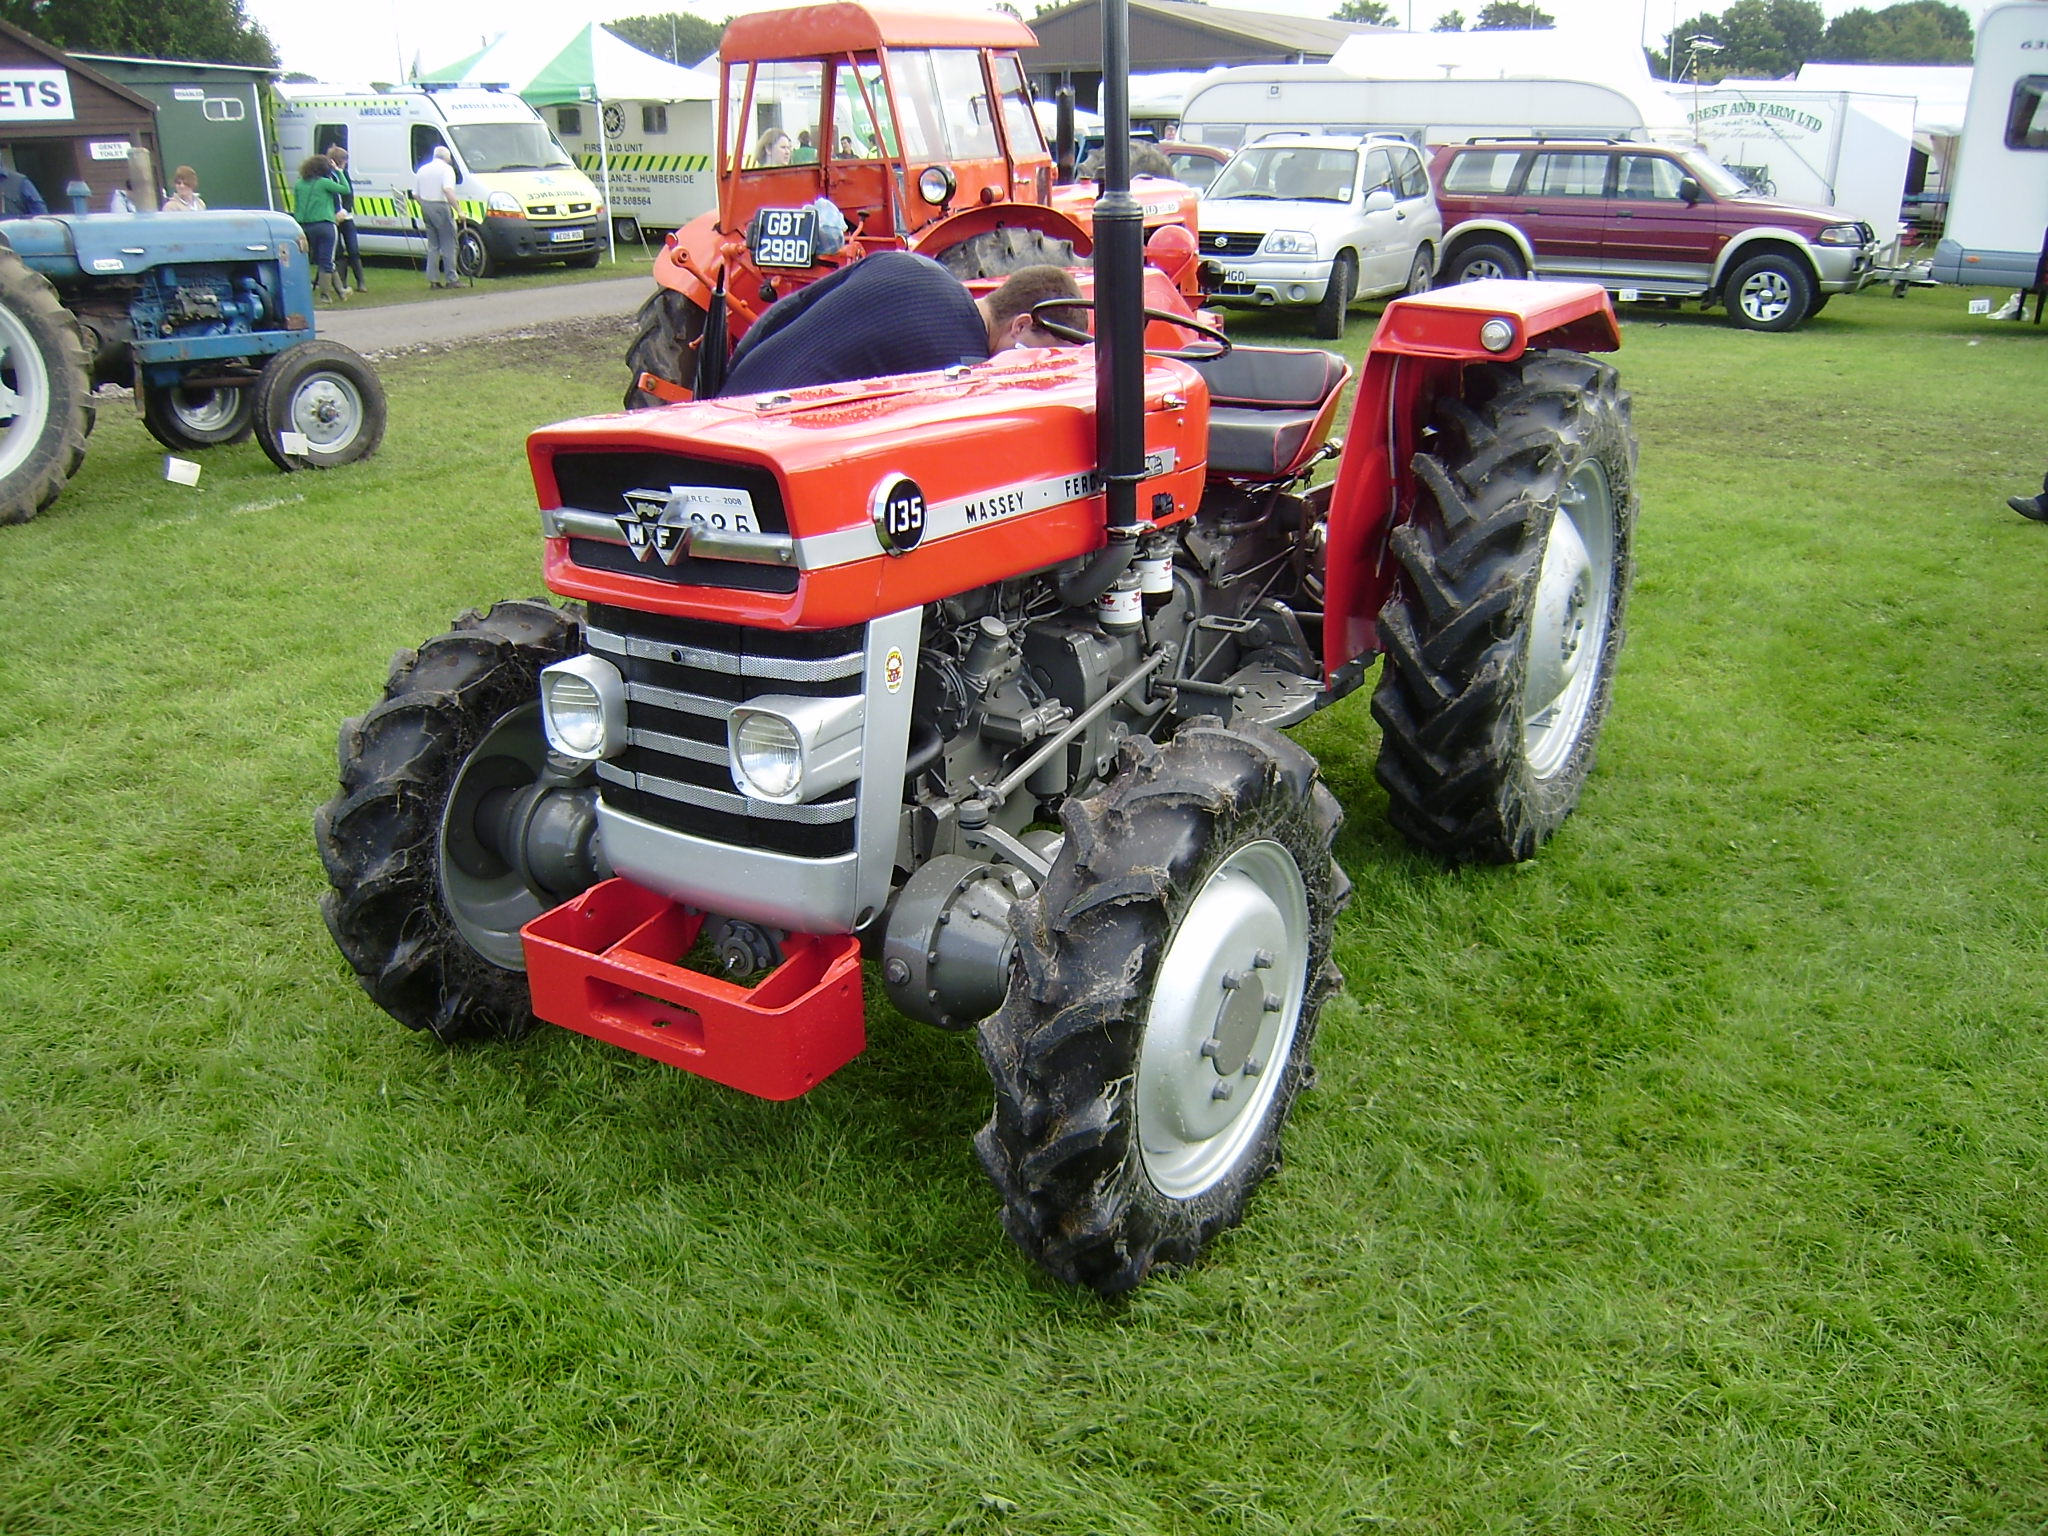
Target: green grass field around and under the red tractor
x: 1684, y: 1181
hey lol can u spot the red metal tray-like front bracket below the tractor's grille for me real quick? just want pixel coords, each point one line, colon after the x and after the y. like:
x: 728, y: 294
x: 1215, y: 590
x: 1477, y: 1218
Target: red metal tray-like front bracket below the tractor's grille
x: 609, y: 966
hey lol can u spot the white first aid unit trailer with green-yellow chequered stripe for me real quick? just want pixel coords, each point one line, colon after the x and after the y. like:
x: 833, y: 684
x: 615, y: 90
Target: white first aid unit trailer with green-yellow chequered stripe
x: 656, y: 155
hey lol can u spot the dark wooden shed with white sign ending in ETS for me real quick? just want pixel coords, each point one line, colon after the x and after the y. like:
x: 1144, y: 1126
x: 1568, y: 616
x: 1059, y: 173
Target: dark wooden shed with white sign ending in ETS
x: 62, y: 122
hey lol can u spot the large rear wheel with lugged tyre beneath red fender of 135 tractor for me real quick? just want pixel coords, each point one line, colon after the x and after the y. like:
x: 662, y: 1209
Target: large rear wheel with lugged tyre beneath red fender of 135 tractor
x: 1506, y: 620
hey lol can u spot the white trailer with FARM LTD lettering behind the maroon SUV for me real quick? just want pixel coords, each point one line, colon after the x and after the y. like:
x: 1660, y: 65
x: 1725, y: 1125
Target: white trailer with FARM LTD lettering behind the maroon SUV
x: 1824, y: 148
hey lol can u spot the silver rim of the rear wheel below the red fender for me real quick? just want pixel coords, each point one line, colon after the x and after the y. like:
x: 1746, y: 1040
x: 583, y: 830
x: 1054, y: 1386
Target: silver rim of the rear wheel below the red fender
x: 1568, y: 632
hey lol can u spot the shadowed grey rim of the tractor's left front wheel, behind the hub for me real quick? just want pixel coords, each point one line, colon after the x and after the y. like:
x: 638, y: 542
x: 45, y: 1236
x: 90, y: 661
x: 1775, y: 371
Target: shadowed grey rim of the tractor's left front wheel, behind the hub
x: 484, y: 896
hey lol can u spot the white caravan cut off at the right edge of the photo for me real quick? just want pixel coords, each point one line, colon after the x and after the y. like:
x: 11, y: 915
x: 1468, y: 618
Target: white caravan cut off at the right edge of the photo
x: 1998, y: 202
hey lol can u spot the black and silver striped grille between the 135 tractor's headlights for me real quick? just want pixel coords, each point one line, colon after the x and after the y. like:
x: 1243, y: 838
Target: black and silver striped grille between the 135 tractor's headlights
x: 683, y: 681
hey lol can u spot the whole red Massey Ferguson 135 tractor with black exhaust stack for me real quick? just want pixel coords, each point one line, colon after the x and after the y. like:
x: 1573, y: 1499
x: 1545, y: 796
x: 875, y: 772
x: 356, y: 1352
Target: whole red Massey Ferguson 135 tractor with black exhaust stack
x: 982, y: 677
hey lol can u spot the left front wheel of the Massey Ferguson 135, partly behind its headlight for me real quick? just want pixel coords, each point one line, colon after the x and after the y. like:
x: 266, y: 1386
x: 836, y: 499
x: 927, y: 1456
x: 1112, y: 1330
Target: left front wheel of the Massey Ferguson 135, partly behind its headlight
x: 423, y: 906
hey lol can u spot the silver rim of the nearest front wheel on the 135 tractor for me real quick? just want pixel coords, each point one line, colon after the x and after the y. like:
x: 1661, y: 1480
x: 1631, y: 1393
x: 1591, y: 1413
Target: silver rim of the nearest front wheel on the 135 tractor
x: 1224, y: 1019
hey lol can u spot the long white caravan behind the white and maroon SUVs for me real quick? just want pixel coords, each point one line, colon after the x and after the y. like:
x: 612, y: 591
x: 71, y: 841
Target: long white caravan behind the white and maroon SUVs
x: 1248, y: 103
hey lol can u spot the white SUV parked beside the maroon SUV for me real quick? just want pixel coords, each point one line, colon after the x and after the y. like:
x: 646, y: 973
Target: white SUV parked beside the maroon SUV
x: 1320, y: 222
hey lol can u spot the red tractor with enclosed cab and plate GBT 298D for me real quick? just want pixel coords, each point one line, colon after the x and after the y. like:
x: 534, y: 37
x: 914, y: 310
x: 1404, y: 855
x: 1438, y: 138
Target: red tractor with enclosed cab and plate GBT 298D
x: 916, y: 128
